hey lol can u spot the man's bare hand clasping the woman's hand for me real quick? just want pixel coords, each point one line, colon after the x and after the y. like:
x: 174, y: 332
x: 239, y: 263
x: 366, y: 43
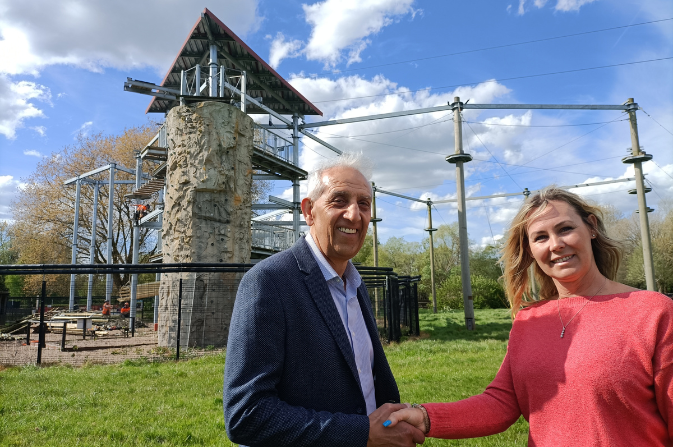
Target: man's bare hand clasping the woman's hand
x: 401, y: 435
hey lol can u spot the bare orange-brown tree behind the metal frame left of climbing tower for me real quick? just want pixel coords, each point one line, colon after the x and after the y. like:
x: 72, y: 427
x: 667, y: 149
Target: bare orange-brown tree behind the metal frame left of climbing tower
x: 44, y: 209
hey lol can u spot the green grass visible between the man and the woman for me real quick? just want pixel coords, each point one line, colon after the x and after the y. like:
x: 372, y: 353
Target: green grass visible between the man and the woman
x: 454, y: 363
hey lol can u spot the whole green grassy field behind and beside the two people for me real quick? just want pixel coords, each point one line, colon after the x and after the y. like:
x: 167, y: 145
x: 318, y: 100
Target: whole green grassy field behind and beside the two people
x: 143, y: 404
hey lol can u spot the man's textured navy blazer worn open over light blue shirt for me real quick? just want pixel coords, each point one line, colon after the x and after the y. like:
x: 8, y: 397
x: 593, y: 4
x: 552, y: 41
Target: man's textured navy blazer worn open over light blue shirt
x: 290, y: 377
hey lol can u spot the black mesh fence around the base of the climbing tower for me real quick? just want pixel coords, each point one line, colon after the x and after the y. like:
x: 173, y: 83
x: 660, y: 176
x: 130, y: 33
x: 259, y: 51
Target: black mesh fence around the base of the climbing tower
x: 180, y: 310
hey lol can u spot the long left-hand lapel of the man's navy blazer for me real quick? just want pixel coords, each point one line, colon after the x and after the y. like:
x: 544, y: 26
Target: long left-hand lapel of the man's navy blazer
x: 319, y: 290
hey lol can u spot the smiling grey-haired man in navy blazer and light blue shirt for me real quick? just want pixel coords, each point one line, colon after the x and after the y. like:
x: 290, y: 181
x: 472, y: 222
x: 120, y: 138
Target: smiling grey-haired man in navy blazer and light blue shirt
x: 304, y: 363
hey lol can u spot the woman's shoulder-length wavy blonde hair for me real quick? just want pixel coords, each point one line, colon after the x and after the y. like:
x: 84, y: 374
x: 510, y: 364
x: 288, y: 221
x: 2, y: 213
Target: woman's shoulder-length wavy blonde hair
x: 516, y: 253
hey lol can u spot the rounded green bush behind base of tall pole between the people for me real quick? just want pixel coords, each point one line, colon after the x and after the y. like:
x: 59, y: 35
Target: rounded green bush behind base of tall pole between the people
x: 487, y: 293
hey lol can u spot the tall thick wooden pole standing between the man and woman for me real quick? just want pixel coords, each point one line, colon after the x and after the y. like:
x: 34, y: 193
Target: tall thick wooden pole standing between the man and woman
x: 459, y: 158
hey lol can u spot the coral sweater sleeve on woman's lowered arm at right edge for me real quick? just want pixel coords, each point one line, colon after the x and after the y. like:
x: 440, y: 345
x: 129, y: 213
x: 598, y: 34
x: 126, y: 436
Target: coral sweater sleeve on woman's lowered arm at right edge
x: 663, y: 368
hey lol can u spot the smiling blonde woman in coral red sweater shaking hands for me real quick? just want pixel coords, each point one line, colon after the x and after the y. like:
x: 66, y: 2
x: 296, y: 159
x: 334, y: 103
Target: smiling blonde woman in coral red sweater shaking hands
x: 589, y: 362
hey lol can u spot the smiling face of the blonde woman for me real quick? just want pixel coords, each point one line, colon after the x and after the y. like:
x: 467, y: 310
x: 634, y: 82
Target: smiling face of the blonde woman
x: 560, y: 242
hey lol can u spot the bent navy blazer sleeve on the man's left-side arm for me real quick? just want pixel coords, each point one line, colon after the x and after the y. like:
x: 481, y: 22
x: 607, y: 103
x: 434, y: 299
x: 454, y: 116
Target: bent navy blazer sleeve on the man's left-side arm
x: 253, y: 412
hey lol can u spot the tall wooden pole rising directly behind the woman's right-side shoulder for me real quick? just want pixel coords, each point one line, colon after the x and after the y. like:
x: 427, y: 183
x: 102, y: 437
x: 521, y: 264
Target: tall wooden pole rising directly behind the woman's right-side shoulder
x: 637, y: 158
